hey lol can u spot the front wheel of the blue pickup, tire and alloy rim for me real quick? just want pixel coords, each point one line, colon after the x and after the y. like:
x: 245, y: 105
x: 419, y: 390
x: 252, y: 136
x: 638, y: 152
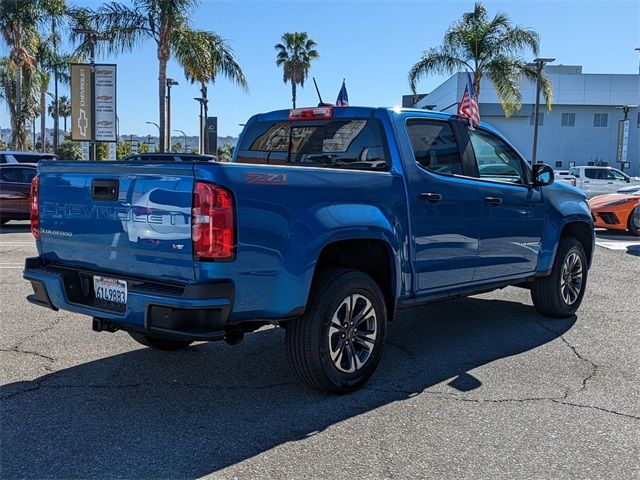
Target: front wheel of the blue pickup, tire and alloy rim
x: 560, y: 294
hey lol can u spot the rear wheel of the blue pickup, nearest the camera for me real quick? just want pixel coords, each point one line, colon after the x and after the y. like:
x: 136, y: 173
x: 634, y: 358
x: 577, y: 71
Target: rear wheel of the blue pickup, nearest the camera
x: 312, y: 339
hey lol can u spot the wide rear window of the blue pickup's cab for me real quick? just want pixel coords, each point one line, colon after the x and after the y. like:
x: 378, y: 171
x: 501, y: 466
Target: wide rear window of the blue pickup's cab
x: 348, y: 144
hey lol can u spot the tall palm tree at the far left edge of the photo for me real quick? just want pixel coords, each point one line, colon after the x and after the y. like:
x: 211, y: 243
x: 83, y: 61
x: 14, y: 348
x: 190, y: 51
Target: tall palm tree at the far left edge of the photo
x: 18, y: 29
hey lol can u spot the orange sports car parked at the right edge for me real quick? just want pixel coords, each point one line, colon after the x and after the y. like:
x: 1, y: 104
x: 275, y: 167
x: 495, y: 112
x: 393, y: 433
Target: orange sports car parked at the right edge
x: 617, y: 211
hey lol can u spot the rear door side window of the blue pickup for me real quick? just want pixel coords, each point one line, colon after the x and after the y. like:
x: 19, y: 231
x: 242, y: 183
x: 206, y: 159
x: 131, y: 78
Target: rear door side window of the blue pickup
x: 434, y: 146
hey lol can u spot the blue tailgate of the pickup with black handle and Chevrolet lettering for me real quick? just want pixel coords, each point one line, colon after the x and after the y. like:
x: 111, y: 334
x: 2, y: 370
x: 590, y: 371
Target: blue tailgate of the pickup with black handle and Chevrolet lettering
x: 118, y: 217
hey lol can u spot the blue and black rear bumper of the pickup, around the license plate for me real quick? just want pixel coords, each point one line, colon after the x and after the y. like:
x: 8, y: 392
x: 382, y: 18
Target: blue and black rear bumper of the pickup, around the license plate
x: 188, y: 312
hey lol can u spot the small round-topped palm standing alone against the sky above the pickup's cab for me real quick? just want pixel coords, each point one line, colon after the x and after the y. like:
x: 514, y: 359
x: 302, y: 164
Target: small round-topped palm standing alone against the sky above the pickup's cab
x: 295, y: 54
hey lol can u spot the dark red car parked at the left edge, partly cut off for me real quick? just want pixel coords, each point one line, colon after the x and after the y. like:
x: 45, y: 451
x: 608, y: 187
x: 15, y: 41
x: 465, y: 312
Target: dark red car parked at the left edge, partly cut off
x: 15, y: 185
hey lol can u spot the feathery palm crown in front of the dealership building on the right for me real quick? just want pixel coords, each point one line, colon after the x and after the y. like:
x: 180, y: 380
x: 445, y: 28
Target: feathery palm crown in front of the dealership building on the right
x: 486, y: 48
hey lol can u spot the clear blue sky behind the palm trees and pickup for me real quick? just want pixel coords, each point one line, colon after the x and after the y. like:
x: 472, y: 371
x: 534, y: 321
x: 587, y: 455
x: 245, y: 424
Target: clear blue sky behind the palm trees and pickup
x: 370, y: 43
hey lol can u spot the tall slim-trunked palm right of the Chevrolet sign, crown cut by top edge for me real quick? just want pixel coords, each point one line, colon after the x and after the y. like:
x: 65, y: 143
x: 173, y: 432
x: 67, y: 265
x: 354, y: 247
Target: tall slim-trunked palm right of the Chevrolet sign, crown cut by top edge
x: 165, y: 21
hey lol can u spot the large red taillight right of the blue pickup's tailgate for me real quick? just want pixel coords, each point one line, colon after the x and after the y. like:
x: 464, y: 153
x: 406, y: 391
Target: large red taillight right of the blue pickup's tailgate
x: 213, y: 224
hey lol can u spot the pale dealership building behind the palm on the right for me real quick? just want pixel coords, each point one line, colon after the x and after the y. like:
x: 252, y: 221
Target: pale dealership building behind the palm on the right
x: 582, y: 126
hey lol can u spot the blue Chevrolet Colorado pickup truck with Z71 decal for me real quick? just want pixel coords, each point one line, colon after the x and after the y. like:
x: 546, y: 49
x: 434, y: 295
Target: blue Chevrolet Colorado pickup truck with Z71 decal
x: 327, y: 222
